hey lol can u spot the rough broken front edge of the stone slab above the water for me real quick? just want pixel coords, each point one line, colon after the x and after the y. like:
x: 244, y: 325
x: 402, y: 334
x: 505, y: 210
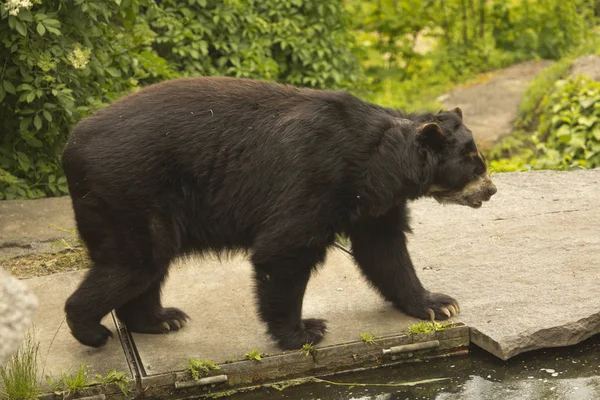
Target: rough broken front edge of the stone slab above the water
x: 559, y: 336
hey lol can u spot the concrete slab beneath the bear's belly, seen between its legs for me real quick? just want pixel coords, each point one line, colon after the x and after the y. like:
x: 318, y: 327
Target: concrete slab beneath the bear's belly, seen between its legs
x: 219, y: 298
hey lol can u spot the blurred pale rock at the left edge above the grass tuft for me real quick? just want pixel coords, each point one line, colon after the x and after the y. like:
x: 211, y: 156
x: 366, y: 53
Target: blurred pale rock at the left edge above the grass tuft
x: 17, y: 307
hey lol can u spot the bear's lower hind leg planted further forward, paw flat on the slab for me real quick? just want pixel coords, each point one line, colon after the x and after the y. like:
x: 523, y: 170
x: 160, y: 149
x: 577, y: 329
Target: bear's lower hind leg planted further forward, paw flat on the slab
x: 145, y: 313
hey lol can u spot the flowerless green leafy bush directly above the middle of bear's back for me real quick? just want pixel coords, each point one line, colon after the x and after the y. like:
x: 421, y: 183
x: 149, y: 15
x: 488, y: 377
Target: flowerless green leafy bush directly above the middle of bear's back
x: 302, y: 42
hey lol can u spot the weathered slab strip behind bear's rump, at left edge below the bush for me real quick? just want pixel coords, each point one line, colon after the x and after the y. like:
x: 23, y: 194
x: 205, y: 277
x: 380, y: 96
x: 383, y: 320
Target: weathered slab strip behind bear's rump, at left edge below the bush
x: 32, y: 226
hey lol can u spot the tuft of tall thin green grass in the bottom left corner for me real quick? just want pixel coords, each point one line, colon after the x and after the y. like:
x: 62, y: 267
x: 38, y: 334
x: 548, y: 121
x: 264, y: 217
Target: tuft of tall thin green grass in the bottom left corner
x: 19, y: 374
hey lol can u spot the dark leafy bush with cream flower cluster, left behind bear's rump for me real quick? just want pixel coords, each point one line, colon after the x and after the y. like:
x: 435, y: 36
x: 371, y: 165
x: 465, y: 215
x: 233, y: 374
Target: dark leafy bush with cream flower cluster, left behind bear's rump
x: 60, y: 63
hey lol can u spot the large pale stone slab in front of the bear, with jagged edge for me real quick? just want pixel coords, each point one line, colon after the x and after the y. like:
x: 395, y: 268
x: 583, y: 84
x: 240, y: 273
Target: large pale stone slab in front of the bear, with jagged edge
x: 525, y: 267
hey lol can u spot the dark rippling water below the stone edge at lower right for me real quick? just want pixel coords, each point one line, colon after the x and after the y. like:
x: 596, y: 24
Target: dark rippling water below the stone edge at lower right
x: 552, y: 374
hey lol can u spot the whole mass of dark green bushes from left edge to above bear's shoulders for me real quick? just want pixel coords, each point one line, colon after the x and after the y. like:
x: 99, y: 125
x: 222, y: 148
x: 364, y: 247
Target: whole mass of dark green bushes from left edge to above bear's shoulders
x: 61, y: 62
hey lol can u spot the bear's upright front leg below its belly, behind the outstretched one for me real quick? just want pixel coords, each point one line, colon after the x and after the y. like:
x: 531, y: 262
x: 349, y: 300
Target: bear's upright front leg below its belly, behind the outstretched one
x: 280, y: 285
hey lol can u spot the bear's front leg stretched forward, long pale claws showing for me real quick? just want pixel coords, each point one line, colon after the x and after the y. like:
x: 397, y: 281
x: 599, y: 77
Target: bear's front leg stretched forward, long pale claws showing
x: 379, y: 248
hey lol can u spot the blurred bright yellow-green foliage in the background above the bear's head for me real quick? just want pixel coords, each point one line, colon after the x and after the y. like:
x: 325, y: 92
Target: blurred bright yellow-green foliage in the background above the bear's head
x: 414, y: 51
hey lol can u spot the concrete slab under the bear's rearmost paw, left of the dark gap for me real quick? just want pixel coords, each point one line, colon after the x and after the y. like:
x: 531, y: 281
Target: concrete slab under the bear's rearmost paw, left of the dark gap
x: 59, y: 351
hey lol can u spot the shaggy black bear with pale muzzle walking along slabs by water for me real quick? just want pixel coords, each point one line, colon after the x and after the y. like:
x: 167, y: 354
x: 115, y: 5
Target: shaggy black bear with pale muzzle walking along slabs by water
x: 214, y: 164
